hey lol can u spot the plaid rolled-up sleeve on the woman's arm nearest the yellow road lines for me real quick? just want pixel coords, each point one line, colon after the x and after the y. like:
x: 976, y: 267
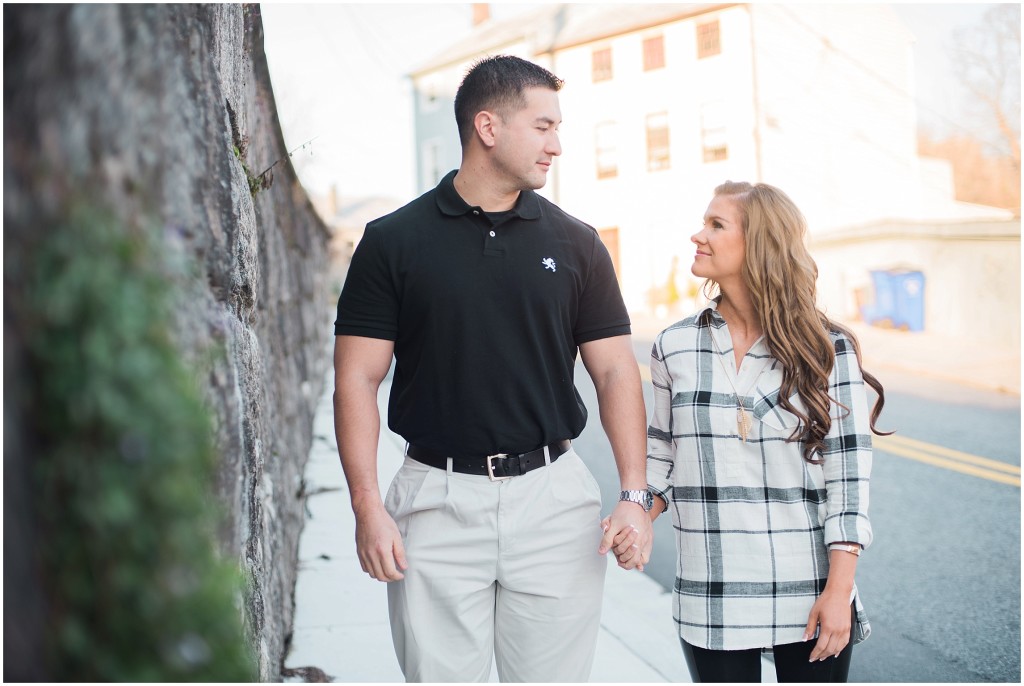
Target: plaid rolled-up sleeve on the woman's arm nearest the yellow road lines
x: 847, y: 452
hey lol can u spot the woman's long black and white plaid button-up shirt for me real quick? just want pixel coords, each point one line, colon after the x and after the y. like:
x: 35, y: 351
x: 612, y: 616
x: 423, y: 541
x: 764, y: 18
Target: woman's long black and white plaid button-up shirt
x: 753, y: 520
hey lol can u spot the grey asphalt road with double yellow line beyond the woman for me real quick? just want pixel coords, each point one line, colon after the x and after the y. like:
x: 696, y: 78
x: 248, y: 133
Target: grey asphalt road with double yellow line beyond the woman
x: 942, y: 583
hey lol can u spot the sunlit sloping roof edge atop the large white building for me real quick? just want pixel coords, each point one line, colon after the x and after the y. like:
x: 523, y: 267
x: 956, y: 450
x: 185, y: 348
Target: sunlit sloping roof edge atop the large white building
x: 560, y: 26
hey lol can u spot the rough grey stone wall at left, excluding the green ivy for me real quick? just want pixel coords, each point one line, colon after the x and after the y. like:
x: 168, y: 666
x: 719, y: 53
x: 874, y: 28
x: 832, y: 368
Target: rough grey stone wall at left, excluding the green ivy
x: 165, y: 115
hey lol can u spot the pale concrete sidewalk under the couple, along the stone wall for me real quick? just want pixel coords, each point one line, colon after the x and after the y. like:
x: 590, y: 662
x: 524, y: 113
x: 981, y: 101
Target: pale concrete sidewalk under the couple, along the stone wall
x: 342, y: 623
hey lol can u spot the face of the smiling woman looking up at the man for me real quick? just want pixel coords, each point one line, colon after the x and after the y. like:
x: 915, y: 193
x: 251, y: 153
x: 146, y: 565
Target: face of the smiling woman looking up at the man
x: 720, y: 244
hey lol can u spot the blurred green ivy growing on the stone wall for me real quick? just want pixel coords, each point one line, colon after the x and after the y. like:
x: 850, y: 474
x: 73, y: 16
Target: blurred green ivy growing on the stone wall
x: 123, y: 465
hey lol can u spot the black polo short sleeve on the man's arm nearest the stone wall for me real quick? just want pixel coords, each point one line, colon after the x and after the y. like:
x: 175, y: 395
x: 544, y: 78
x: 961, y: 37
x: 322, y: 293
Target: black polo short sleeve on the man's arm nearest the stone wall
x: 369, y: 304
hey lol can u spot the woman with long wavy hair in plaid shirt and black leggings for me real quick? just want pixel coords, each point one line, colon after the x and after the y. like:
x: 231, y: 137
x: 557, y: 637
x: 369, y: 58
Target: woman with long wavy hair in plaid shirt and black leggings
x: 760, y: 446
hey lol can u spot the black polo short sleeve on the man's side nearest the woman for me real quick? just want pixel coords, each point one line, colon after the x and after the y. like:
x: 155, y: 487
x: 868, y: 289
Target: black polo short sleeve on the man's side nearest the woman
x: 603, y: 313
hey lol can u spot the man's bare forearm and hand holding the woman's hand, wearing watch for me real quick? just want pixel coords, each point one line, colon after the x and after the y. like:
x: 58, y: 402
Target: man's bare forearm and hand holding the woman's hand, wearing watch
x: 620, y: 396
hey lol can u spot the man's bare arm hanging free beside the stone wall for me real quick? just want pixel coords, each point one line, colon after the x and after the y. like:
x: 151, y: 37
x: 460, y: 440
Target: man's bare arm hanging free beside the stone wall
x: 360, y: 367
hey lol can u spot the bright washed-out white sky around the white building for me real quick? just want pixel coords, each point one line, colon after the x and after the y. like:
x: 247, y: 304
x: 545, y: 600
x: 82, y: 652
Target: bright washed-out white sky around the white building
x: 339, y: 75
